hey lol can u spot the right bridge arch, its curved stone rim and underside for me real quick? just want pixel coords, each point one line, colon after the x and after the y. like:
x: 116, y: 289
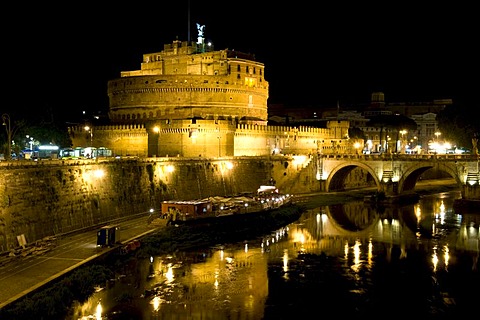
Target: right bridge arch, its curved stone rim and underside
x: 409, y: 178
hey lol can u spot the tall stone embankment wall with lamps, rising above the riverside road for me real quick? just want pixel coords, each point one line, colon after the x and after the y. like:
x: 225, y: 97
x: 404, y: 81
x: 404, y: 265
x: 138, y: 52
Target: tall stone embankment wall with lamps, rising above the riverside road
x: 48, y: 198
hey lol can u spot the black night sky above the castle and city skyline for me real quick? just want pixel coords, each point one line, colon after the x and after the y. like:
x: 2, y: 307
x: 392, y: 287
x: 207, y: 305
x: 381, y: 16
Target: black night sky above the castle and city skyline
x: 60, y: 56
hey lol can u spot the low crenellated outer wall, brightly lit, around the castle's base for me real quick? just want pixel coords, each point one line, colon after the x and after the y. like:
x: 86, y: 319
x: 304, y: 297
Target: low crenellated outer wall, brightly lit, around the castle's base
x: 215, y: 138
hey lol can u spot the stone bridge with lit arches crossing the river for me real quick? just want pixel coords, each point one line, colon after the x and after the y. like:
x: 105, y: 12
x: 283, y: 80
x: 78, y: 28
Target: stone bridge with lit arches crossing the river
x: 397, y: 174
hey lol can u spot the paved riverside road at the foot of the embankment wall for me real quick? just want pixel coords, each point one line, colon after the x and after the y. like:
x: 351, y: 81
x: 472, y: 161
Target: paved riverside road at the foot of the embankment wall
x: 22, y: 275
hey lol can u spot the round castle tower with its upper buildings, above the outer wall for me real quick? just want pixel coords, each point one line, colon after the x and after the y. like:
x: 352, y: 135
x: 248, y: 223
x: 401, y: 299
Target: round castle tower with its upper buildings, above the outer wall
x: 187, y: 81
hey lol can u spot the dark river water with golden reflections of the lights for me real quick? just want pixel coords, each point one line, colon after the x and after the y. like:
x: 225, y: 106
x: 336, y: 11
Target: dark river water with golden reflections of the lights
x: 391, y: 261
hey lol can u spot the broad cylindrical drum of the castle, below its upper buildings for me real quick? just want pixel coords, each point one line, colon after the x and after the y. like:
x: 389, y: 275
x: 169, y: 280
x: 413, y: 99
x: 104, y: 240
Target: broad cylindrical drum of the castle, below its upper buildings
x: 154, y: 97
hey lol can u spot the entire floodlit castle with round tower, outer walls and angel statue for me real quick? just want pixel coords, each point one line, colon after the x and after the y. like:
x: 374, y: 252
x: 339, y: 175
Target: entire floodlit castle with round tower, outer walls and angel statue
x: 189, y: 100
